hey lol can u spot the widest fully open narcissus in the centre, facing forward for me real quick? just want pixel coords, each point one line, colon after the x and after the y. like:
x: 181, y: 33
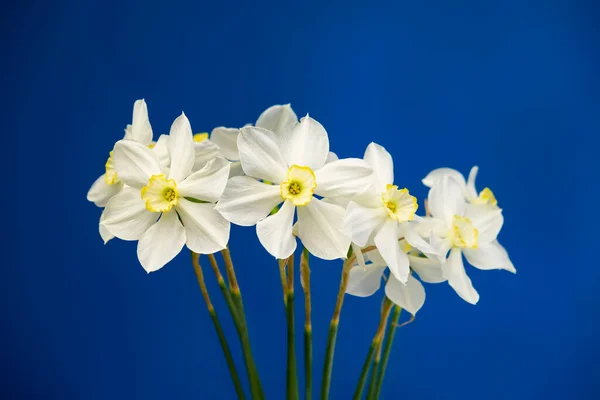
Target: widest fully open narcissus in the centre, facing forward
x: 292, y: 168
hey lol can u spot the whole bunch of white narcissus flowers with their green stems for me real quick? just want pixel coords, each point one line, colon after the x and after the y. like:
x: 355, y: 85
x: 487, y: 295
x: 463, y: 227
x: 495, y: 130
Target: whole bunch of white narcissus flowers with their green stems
x: 186, y: 189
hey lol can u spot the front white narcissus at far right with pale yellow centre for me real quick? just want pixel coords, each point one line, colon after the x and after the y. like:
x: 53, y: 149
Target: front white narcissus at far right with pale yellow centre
x: 461, y: 228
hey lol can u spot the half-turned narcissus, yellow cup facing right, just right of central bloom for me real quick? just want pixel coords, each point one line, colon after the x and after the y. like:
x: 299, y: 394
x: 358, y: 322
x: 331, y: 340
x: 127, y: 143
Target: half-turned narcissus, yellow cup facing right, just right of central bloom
x: 381, y: 215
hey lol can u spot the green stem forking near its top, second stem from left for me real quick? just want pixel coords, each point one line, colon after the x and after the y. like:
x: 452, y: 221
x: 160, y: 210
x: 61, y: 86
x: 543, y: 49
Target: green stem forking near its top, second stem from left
x: 233, y: 299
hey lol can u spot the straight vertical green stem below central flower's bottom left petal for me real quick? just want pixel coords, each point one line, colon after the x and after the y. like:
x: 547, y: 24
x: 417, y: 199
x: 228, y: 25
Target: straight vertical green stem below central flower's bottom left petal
x: 292, y: 374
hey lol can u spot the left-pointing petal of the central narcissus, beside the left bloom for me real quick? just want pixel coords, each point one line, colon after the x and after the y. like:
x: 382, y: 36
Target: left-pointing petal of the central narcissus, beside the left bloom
x: 246, y: 200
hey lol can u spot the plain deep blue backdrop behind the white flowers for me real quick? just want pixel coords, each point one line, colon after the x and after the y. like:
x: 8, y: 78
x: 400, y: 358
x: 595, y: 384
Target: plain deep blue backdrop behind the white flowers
x: 510, y: 87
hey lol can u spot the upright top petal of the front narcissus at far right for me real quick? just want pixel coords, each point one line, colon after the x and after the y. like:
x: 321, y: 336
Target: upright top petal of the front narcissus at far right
x: 446, y: 199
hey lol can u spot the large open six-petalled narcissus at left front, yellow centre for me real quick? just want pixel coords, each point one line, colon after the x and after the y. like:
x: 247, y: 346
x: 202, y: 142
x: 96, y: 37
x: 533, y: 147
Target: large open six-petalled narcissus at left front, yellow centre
x: 165, y: 209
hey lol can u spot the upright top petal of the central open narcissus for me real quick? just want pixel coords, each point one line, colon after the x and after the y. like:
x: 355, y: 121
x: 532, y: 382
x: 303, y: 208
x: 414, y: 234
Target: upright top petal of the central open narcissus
x: 306, y: 145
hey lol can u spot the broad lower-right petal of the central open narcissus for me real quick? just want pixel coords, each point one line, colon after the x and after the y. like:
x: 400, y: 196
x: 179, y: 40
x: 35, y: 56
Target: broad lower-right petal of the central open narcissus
x: 320, y: 229
